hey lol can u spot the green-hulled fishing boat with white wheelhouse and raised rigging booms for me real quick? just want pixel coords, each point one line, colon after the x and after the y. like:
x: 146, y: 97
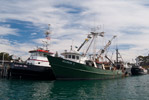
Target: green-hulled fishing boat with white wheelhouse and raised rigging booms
x: 81, y: 66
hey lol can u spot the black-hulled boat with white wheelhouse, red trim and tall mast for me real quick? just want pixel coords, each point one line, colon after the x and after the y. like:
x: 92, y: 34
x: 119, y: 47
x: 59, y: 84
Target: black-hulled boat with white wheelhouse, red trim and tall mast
x: 36, y: 66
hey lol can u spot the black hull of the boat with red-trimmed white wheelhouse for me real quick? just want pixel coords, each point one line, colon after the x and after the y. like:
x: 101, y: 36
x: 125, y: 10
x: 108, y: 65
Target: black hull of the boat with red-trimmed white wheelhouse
x: 19, y: 70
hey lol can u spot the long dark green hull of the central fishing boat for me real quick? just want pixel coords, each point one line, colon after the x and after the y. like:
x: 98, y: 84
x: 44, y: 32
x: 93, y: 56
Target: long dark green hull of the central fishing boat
x: 69, y: 70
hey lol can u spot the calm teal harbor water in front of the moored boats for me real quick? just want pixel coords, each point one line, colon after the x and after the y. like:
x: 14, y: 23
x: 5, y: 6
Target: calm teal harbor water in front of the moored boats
x: 129, y: 88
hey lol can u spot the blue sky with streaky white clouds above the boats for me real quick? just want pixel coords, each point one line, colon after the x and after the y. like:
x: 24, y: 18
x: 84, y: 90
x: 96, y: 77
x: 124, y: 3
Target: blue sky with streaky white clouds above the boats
x: 23, y: 23
